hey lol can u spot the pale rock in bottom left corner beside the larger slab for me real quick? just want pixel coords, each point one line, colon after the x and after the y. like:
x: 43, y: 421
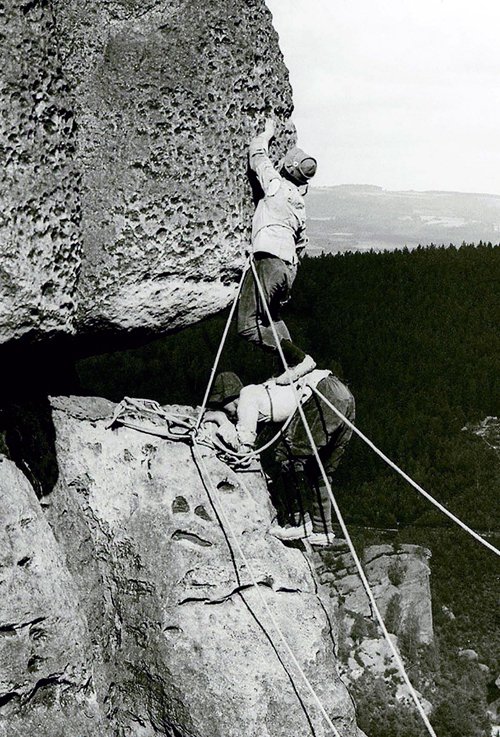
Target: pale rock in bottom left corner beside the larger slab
x: 46, y: 684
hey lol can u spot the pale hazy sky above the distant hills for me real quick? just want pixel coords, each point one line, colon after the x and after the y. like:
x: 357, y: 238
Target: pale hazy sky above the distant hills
x: 400, y: 93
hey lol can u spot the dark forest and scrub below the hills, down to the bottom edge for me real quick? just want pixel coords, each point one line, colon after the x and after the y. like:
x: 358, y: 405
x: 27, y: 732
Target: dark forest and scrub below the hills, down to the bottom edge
x: 415, y: 335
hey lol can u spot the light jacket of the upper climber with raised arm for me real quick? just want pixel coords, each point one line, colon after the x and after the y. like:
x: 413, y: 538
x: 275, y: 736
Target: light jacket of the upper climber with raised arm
x: 280, y: 219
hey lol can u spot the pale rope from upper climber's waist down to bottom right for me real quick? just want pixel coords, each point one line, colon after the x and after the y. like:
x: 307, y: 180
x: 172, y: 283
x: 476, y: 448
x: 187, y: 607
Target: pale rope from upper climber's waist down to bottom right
x: 343, y: 526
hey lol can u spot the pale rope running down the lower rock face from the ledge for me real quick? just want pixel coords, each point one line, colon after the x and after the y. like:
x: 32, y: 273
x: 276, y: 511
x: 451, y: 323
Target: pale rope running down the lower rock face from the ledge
x: 207, y: 479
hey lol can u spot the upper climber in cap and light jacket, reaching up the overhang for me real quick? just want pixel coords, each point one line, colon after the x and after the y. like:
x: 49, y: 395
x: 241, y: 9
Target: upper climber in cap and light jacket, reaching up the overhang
x: 278, y: 239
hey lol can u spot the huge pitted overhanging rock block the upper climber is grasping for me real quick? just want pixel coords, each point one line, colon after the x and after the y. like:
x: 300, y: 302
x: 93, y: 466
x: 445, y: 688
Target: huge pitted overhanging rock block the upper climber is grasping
x: 126, y: 204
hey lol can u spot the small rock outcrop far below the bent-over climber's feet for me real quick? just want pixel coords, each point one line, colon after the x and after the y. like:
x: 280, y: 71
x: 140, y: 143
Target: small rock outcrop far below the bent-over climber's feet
x: 399, y: 578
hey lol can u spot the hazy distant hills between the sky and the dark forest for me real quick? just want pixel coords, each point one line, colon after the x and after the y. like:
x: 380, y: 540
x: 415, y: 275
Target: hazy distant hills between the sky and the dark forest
x: 361, y: 217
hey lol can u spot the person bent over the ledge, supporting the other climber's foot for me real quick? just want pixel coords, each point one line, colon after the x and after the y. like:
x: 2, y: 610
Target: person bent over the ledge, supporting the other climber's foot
x: 240, y: 411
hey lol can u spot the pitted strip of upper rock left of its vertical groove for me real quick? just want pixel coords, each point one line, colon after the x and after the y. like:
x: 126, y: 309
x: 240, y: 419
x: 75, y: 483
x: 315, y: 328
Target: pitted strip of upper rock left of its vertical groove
x: 40, y: 241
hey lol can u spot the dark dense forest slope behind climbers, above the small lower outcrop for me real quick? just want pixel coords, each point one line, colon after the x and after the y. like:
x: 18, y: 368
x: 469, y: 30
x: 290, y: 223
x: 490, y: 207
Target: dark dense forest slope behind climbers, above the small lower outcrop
x: 415, y: 334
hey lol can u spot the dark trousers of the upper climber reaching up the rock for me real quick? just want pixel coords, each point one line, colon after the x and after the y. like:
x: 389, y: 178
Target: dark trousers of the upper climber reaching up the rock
x: 276, y: 278
